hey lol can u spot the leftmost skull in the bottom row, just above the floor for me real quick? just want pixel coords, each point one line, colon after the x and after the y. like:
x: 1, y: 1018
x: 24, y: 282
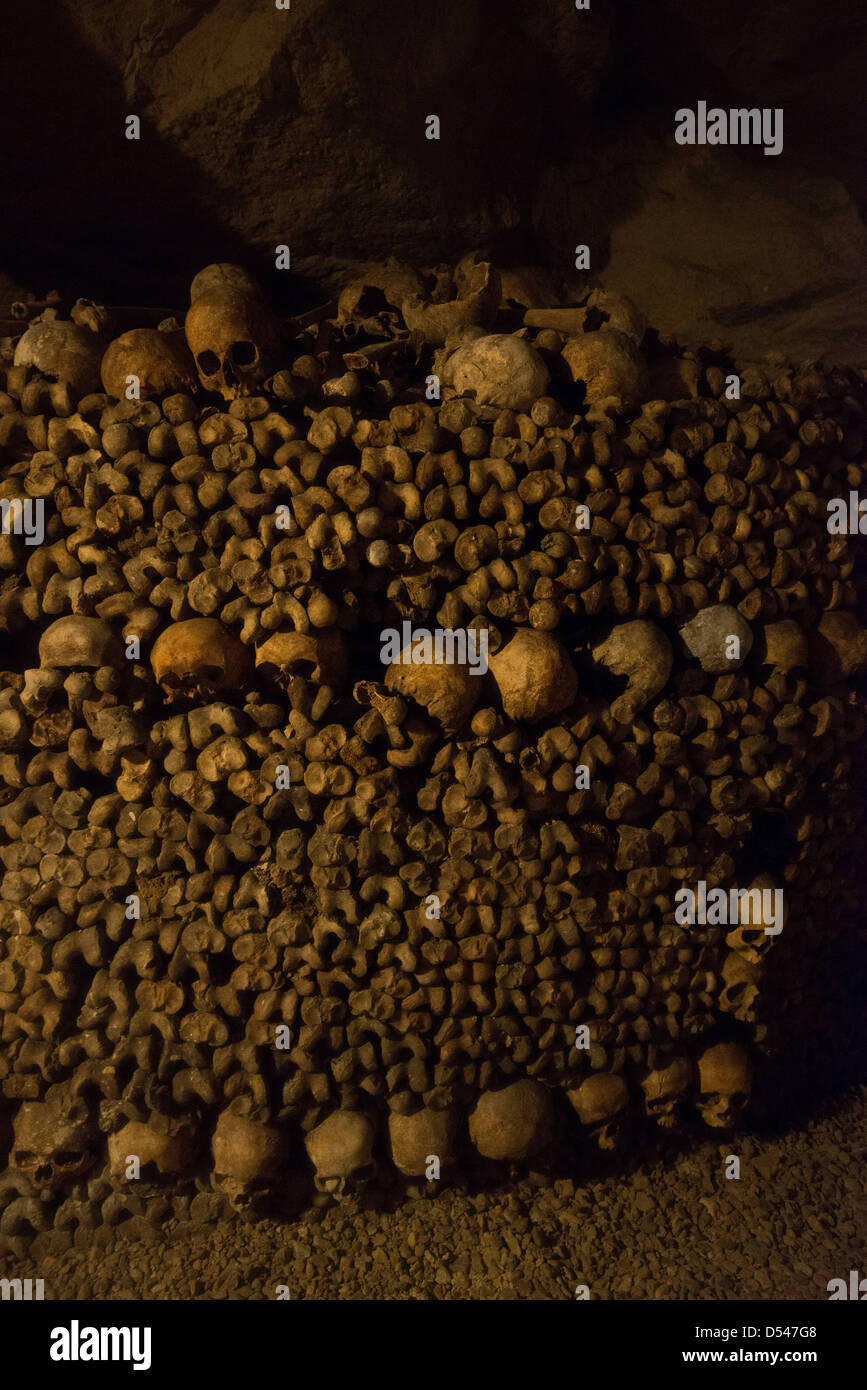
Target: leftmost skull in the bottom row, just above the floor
x: 55, y: 1140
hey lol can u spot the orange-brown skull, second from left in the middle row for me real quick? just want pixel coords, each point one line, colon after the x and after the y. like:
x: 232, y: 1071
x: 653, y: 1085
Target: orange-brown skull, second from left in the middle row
x: 199, y: 657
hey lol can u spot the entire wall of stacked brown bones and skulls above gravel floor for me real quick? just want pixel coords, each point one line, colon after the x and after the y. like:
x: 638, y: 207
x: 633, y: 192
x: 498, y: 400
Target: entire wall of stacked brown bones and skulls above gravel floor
x: 273, y: 908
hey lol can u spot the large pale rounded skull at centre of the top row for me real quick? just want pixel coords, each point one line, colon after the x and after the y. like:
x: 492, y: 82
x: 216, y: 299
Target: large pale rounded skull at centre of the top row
x: 499, y: 370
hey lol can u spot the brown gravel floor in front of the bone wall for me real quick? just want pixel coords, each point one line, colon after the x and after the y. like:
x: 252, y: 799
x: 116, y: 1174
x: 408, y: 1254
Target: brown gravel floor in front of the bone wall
x: 670, y: 1229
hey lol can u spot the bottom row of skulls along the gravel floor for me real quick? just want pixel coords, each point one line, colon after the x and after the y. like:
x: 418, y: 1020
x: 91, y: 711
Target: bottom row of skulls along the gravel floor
x: 55, y: 1142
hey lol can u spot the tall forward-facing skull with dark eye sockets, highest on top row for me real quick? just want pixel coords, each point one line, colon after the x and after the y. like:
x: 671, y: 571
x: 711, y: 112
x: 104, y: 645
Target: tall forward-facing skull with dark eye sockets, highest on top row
x: 231, y: 332
